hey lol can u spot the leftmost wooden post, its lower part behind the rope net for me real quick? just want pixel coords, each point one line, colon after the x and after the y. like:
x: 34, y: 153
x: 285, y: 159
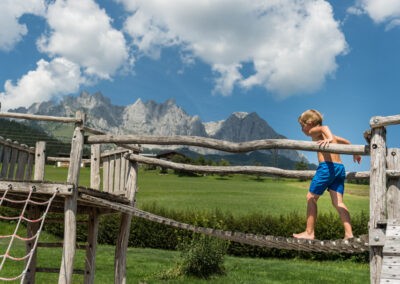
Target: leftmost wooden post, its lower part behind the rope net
x: 33, y: 212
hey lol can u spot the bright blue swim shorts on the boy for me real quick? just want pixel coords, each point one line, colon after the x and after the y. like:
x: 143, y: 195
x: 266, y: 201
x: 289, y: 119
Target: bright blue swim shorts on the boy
x: 329, y: 176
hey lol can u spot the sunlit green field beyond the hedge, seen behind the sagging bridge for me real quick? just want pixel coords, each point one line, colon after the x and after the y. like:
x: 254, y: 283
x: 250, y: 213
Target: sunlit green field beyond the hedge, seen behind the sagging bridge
x: 239, y: 195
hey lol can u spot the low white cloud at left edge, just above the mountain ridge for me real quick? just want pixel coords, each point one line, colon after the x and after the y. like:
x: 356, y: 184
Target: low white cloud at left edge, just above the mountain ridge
x: 50, y: 79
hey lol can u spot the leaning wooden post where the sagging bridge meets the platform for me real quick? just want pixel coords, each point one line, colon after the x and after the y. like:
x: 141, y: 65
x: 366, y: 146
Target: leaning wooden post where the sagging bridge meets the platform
x: 124, y: 229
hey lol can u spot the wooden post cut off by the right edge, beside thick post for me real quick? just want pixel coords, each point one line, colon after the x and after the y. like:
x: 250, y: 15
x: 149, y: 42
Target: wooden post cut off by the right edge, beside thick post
x: 393, y: 194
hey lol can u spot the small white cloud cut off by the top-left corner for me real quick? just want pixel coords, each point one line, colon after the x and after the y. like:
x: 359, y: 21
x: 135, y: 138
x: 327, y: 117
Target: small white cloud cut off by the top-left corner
x: 11, y: 30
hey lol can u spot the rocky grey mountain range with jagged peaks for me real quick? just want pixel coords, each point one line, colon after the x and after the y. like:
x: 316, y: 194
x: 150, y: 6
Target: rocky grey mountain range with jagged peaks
x: 152, y: 118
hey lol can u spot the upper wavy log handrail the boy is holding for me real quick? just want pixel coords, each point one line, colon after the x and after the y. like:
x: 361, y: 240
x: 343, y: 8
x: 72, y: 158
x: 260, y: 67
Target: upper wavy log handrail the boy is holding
x: 229, y: 146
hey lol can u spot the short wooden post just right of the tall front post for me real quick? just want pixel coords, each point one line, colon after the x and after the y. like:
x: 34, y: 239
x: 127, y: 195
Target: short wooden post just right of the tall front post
x: 93, y: 229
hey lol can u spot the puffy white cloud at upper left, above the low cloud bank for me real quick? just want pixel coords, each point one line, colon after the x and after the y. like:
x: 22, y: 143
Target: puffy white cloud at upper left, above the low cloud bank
x: 81, y: 32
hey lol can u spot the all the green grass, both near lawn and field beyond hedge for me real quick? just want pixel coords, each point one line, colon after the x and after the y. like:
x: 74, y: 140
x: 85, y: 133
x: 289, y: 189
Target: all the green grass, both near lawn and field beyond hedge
x: 239, y: 195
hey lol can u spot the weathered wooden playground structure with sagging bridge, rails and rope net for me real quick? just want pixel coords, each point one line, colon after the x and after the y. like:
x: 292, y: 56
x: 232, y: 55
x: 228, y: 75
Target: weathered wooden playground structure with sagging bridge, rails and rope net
x: 22, y: 186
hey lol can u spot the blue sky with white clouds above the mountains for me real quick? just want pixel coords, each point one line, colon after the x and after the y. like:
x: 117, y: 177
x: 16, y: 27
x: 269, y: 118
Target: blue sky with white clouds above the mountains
x: 277, y: 58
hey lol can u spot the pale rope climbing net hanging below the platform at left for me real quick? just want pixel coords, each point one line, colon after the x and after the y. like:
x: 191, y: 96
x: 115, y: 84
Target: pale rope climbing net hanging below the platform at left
x: 19, y: 220
